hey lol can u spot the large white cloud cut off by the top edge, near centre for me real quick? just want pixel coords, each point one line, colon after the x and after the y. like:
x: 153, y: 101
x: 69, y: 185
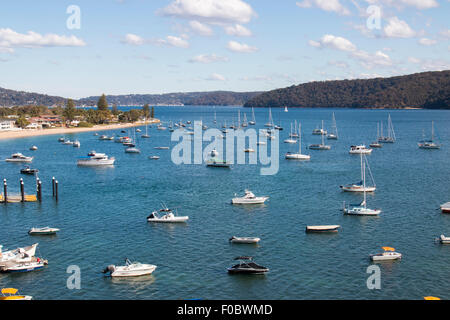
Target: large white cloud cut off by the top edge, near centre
x: 212, y: 11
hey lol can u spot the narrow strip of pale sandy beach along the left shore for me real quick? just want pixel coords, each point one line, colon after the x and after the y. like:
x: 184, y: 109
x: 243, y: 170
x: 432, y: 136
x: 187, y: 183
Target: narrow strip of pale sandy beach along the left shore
x: 62, y: 131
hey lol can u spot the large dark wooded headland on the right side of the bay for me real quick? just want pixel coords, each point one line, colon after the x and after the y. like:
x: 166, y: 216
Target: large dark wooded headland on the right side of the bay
x: 429, y: 90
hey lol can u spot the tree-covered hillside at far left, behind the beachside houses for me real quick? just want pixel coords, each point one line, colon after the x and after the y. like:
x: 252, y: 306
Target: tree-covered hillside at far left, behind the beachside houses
x: 20, y: 98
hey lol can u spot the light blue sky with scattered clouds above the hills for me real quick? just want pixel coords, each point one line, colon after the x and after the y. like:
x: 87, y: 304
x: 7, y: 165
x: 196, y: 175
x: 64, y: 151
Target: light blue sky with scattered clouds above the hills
x: 161, y: 46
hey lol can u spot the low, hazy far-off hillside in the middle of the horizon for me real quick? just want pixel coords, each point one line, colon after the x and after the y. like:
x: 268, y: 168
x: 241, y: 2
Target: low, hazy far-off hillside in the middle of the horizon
x: 187, y: 98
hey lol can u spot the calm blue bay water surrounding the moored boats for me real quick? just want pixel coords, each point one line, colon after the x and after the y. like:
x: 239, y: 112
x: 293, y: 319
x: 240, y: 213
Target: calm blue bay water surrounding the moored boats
x: 102, y: 214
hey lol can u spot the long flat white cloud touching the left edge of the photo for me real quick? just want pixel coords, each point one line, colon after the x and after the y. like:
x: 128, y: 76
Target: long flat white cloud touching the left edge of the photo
x: 10, y: 39
